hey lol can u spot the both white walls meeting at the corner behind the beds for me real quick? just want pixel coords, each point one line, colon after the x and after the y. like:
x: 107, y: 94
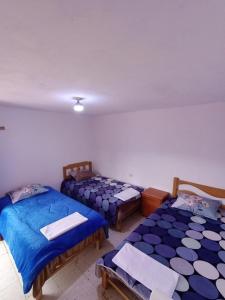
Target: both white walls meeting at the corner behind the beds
x: 146, y: 148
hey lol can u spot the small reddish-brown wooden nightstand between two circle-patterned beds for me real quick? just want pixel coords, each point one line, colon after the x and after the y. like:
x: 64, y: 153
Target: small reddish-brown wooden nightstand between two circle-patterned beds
x: 151, y: 200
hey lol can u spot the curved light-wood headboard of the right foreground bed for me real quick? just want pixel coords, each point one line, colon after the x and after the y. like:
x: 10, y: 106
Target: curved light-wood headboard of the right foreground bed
x: 212, y: 191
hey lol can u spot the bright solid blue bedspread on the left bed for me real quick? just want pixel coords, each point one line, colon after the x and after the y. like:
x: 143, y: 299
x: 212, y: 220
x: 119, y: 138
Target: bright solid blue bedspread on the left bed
x: 20, y: 225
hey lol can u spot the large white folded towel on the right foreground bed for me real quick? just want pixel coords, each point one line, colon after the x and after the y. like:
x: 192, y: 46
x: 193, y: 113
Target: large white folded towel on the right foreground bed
x: 146, y: 270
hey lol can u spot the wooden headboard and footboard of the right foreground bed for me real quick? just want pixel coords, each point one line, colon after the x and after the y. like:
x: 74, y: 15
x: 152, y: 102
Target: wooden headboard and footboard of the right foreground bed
x: 109, y: 279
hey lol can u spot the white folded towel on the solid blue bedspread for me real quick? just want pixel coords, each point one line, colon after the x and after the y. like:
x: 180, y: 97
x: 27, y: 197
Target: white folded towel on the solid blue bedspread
x: 63, y: 225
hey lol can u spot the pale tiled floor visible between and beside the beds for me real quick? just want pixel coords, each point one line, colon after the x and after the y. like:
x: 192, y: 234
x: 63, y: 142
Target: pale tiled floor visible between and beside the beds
x: 76, y: 281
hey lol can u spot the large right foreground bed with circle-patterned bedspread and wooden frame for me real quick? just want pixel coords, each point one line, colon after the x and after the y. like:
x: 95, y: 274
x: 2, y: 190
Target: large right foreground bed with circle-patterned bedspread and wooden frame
x: 177, y: 239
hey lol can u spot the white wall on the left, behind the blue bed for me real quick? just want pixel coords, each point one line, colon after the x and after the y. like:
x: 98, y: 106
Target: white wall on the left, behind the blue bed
x: 36, y: 144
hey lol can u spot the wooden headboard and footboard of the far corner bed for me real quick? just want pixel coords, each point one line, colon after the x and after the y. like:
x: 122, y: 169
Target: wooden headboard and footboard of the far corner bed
x: 124, y: 211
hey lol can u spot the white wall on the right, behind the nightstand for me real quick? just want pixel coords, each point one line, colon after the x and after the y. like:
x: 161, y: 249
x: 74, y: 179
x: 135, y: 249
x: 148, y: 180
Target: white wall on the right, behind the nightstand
x: 151, y: 147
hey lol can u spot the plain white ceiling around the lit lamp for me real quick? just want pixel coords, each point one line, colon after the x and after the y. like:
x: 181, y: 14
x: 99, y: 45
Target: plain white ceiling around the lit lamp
x: 122, y: 55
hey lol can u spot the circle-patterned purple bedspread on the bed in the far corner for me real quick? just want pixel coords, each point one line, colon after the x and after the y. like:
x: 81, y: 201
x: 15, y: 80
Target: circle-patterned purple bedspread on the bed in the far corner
x: 98, y: 193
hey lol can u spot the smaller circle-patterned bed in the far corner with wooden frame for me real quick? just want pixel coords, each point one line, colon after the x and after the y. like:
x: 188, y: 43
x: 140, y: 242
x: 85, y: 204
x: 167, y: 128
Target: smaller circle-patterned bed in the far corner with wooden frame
x: 98, y: 192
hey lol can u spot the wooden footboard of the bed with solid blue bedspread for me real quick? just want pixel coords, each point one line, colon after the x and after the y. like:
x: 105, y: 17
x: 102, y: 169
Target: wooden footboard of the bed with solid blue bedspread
x: 60, y: 261
